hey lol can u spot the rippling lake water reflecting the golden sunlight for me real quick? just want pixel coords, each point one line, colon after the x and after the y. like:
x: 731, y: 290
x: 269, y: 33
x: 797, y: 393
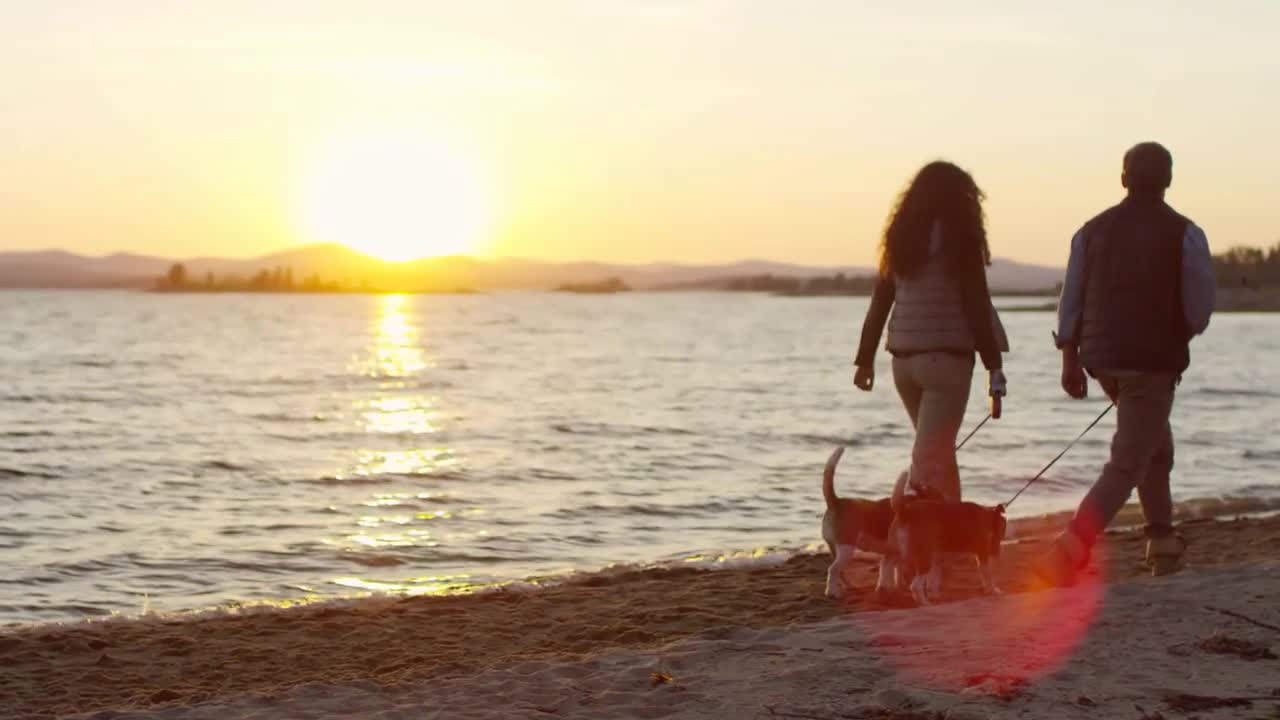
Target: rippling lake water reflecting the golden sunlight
x: 190, y: 452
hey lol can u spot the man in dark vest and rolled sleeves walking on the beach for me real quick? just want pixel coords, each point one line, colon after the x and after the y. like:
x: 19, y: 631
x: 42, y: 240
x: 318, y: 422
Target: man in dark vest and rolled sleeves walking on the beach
x: 1140, y: 285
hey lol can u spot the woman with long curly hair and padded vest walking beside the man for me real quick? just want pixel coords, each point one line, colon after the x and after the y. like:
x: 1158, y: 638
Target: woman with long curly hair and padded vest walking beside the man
x: 934, y: 275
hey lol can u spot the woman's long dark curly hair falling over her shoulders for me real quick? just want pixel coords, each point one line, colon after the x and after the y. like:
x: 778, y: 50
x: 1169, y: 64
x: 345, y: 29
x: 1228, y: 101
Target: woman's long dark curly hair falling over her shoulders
x: 940, y: 193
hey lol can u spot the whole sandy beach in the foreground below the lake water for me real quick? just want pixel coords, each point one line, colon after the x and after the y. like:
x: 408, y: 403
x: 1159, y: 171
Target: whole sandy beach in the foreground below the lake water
x: 749, y: 642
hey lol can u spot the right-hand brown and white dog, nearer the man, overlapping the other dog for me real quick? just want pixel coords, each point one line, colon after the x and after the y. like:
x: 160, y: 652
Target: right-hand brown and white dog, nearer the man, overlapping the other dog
x: 926, y: 528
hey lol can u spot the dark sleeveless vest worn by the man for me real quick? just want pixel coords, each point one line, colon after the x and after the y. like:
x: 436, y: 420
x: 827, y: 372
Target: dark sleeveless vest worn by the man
x: 1133, y: 299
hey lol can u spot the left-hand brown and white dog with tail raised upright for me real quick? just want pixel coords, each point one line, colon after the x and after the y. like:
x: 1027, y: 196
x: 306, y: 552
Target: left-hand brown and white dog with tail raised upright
x: 852, y: 525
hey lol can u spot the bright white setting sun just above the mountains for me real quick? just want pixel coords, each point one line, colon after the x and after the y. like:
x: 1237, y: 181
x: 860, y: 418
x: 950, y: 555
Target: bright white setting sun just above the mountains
x: 396, y: 195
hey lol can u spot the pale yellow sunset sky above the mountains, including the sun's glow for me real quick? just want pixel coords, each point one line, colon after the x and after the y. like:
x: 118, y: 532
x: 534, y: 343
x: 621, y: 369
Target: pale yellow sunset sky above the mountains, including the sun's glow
x: 618, y: 130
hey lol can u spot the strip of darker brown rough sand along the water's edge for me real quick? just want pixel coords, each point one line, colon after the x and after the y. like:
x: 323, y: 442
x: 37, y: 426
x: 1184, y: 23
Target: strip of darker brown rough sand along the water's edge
x: 175, y: 663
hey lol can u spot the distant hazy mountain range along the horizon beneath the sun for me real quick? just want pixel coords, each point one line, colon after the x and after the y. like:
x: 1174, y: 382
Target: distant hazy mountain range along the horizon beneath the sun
x: 336, y: 263
